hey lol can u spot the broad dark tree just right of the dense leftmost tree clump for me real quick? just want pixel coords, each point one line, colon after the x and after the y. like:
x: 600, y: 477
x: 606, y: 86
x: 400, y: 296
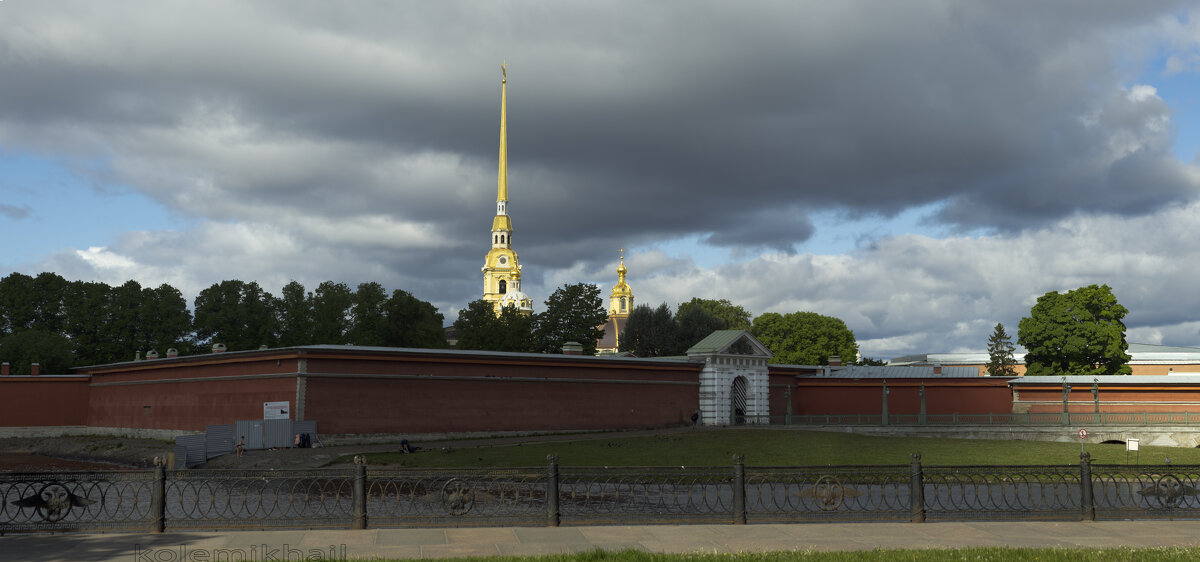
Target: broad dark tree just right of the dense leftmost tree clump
x: 237, y: 314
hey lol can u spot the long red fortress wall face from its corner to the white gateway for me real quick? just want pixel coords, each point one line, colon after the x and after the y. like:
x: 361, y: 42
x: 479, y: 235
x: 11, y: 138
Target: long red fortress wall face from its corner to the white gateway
x: 448, y: 394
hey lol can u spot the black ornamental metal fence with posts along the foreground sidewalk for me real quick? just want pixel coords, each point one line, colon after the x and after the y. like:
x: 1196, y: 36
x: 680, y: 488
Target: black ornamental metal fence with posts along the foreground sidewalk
x: 551, y: 495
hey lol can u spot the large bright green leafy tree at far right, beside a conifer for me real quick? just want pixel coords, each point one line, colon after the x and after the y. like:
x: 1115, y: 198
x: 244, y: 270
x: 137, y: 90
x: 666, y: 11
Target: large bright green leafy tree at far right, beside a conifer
x: 1076, y: 333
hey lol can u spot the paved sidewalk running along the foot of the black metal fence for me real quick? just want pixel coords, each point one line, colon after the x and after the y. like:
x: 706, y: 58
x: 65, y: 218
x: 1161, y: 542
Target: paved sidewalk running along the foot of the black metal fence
x: 416, y: 543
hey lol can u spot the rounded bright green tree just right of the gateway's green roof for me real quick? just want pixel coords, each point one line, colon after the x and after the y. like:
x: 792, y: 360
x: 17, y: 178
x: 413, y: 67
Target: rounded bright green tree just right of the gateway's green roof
x: 806, y: 338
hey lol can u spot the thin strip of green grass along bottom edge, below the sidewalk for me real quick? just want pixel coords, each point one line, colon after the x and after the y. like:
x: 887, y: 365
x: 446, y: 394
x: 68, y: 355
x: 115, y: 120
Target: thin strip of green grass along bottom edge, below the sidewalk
x: 947, y: 555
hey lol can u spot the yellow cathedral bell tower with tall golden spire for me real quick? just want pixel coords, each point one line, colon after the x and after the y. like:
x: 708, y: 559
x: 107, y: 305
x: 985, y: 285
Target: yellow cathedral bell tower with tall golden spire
x: 502, y: 273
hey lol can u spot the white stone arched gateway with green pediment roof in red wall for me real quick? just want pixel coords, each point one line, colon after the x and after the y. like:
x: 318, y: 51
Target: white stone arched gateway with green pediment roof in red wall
x: 735, y: 378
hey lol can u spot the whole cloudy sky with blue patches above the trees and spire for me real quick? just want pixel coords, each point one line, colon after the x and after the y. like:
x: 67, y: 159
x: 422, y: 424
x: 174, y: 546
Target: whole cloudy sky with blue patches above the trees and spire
x: 922, y: 170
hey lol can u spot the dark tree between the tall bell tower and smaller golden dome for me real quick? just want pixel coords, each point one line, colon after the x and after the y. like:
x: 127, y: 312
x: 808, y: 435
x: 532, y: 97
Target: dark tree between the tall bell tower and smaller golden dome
x: 573, y: 314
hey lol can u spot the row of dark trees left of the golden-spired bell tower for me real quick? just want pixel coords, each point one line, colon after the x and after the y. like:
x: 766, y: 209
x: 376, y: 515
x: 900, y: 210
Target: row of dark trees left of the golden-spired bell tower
x: 63, y: 324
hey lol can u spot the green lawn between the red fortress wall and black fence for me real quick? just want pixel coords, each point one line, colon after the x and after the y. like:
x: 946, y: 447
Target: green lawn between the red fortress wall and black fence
x: 776, y: 447
